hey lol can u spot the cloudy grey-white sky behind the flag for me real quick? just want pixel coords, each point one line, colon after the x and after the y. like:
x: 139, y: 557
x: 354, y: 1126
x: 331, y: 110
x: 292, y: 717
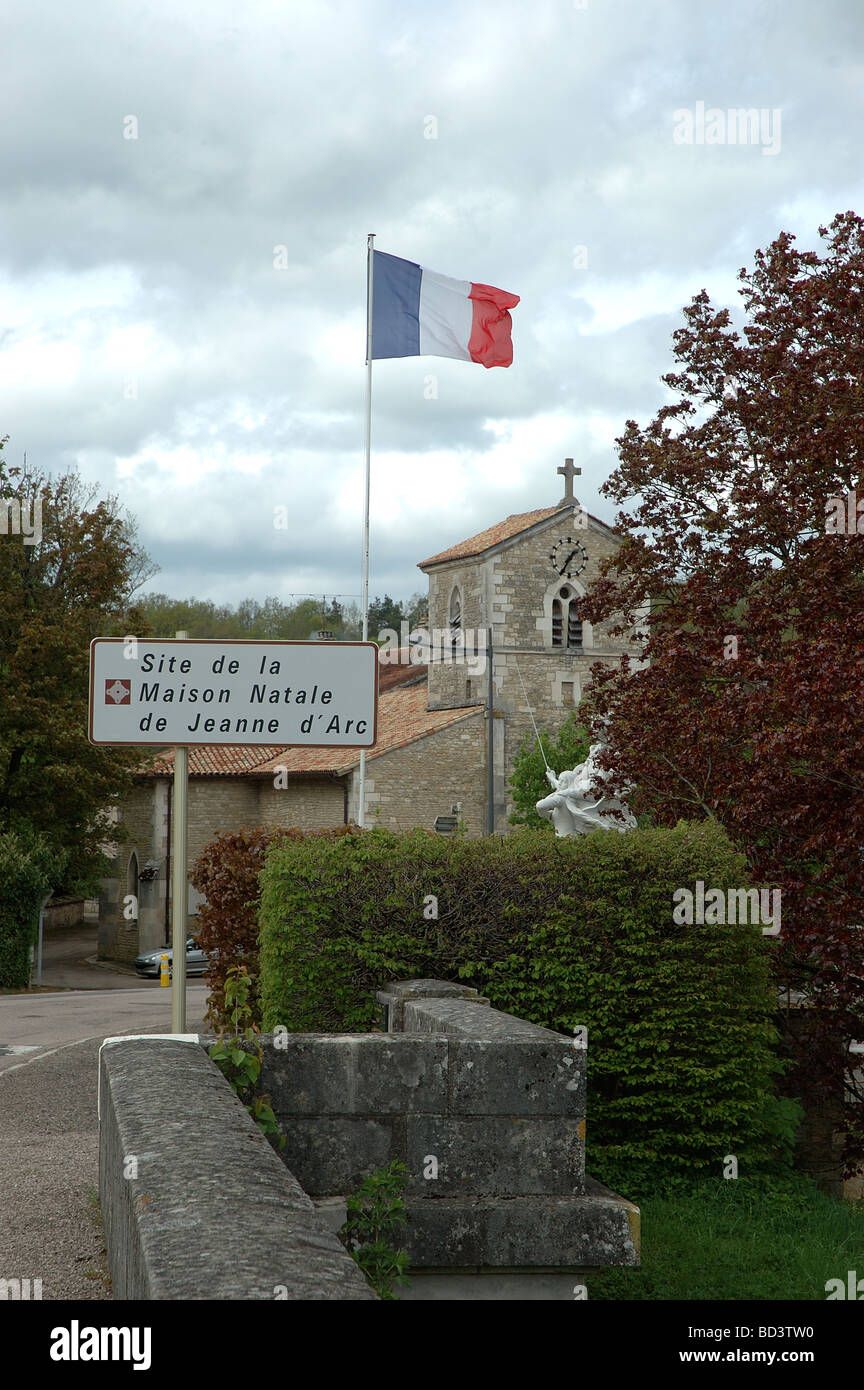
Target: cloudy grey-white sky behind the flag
x: 187, y: 195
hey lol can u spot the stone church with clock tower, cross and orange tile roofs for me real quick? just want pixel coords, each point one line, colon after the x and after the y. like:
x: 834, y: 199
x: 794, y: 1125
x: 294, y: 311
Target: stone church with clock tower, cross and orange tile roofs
x: 442, y: 753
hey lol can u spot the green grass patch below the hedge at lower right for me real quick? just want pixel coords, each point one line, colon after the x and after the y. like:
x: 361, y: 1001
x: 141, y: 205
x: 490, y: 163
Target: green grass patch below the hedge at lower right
x: 747, y: 1239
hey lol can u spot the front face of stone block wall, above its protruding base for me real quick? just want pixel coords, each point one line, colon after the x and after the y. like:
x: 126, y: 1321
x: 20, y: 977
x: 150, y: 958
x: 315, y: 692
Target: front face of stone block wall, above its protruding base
x: 487, y: 1113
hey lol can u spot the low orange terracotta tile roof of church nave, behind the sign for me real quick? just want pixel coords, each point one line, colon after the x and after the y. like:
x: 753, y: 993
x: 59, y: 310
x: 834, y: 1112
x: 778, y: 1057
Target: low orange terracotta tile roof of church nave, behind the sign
x: 402, y: 719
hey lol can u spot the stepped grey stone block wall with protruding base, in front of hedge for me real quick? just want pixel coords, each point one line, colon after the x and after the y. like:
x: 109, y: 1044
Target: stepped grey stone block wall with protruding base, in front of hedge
x: 485, y: 1110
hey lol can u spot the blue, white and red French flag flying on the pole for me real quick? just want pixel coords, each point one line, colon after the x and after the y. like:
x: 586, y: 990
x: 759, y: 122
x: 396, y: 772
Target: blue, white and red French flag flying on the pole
x: 419, y: 313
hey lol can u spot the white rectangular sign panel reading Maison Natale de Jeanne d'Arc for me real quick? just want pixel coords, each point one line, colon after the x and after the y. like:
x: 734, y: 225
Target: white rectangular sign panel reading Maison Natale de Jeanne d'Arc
x: 209, y: 692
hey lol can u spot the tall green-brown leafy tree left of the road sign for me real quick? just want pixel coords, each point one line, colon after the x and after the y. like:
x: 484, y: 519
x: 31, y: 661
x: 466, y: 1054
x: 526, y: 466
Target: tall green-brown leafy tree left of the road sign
x: 73, y: 582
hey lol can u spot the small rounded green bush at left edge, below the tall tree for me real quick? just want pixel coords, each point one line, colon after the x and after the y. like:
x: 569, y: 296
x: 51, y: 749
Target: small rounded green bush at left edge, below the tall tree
x: 27, y: 871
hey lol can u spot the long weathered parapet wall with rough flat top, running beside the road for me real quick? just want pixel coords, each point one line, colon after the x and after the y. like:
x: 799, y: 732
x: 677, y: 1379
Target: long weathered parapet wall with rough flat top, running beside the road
x: 195, y: 1202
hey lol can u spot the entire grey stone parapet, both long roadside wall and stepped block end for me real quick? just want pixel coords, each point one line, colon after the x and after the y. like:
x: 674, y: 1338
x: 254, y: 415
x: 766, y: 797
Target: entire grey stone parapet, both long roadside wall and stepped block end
x: 485, y: 1110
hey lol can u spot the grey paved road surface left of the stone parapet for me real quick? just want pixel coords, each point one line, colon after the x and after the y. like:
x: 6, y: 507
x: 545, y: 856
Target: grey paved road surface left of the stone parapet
x: 51, y: 1227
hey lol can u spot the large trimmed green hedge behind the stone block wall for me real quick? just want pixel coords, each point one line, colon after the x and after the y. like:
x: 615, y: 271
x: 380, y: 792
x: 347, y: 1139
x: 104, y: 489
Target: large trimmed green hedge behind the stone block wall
x: 560, y: 932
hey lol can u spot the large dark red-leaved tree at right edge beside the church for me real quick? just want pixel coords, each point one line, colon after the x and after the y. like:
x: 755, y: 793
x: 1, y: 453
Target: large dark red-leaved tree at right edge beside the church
x: 742, y: 571
